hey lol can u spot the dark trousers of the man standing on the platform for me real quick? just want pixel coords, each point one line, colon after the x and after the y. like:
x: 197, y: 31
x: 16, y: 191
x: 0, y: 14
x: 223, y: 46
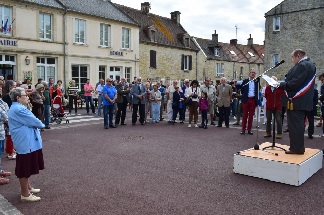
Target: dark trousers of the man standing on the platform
x: 296, y: 130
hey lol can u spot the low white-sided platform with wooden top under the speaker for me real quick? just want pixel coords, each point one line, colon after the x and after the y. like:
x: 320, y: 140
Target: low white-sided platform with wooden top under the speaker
x: 287, y: 169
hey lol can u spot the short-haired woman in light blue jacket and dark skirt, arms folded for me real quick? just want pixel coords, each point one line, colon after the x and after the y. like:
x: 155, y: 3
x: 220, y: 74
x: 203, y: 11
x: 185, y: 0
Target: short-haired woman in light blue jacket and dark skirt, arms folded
x: 24, y: 128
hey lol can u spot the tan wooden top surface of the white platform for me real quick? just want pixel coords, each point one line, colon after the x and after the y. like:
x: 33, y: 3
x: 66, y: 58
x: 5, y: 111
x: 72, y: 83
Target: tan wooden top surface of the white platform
x: 268, y: 154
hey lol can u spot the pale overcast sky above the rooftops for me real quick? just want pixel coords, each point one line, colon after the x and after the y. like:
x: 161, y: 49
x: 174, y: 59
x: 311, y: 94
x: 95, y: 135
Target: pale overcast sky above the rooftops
x: 202, y: 18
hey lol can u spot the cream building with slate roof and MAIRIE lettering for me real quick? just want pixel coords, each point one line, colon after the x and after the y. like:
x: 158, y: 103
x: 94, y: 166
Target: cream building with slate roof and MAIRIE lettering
x: 67, y: 39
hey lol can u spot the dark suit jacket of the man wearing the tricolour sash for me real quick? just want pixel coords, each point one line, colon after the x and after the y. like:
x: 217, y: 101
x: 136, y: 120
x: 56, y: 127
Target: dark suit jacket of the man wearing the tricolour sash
x: 296, y: 78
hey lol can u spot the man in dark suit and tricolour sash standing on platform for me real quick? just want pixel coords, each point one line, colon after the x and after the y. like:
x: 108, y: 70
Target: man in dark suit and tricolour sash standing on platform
x: 298, y: 98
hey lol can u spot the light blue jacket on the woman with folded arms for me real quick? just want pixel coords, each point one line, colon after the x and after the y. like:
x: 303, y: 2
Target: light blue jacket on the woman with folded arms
x: 24, y: 128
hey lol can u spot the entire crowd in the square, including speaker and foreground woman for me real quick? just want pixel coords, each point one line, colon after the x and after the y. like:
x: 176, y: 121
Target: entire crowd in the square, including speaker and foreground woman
x: 25, y: 109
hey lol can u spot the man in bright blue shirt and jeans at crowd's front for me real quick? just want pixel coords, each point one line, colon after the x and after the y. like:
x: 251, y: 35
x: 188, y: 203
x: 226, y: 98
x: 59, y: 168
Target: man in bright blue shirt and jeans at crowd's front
x: 110, y: 95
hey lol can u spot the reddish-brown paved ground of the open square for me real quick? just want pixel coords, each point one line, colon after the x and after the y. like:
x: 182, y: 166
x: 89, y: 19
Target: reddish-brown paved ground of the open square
x: 155, y: 169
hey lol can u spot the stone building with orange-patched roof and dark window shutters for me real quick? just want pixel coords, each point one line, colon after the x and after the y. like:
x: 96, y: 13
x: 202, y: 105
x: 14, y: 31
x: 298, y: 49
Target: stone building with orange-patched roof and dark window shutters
x: 167, y: 52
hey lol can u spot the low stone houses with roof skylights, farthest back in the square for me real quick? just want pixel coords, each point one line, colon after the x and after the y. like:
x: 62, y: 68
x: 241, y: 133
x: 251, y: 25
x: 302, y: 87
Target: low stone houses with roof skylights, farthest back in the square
x: 230, y: 60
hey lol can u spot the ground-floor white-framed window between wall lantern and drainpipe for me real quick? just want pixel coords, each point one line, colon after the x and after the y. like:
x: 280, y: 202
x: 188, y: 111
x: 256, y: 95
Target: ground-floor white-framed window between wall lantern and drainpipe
x: 46, y: 68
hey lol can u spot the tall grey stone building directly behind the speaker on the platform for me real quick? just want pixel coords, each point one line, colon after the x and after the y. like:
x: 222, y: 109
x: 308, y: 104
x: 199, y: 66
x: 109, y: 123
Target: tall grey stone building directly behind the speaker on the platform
x: 290, y: 25
